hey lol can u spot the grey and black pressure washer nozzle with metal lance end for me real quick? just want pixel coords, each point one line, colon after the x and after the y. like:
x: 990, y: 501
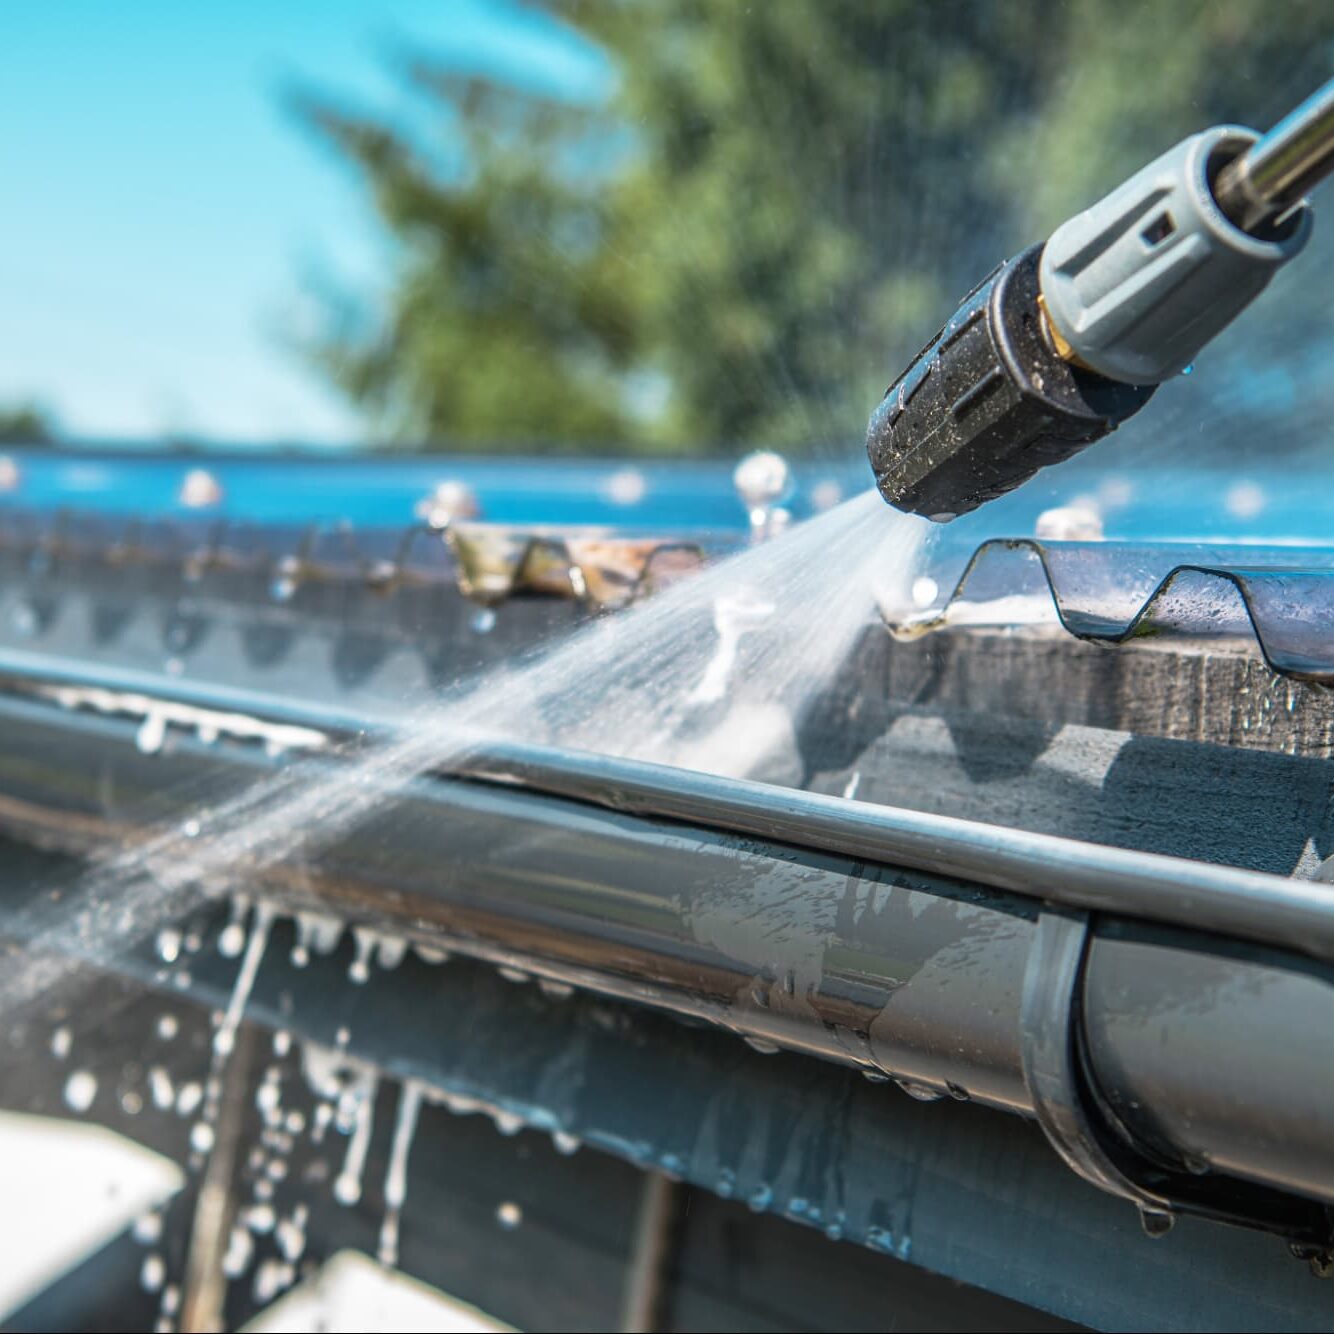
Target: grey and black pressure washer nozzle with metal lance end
x: 1065, y: 342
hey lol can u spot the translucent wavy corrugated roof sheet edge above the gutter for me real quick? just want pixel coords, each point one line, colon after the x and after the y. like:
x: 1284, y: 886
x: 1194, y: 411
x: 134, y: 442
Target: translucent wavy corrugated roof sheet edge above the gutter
x: 366, y: 586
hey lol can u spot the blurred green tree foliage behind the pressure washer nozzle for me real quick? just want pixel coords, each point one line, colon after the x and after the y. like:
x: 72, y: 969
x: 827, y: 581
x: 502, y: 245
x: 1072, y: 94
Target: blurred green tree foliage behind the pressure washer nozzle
x: 773, y: 210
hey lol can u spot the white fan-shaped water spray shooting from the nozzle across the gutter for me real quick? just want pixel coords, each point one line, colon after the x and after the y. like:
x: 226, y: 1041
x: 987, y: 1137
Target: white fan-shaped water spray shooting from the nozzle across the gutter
x: 713, y: 674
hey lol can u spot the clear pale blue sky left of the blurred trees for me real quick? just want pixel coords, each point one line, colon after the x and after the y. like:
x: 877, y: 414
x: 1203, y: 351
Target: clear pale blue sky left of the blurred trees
x: 161, y: 207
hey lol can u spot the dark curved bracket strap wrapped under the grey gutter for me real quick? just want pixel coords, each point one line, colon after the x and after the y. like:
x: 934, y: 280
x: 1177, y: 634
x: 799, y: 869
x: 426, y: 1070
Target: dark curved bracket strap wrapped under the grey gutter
x: 1095, y: 1143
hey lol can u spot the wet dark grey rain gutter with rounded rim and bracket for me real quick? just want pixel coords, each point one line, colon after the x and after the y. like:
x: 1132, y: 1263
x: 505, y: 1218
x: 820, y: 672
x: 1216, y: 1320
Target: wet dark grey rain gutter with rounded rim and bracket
x: 1169, y: 1024
